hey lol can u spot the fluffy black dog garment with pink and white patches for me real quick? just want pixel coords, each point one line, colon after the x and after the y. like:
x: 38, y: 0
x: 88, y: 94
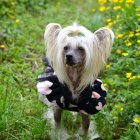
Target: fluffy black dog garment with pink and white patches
x: 49, y: 85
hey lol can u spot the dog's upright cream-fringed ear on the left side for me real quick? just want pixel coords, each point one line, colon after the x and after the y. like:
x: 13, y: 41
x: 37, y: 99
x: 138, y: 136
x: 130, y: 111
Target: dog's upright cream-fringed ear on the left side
x: 51, y: 32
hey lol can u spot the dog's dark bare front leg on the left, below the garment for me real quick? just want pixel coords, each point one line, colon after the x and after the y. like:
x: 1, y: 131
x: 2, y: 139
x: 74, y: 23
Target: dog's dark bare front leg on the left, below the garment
x: 57, y: 116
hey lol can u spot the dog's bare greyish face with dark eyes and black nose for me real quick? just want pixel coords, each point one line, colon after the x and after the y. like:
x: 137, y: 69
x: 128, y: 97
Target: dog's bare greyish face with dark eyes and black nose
x: 74, y: 56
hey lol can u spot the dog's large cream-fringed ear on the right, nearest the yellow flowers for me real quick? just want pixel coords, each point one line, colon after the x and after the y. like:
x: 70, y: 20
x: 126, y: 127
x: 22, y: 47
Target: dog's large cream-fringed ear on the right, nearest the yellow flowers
x: 105, y: 39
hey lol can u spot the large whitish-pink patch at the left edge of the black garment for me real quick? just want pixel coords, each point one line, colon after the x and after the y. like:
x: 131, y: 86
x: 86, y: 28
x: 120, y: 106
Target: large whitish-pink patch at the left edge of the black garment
x: 43, y: 87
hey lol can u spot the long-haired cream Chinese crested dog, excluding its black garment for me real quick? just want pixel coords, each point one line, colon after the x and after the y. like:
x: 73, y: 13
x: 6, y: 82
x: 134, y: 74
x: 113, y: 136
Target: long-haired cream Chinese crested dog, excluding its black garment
x: 77, y: 56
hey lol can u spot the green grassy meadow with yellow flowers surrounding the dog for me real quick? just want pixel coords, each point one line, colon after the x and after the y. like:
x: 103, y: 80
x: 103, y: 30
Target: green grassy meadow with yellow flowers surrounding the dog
x: 22, y: 25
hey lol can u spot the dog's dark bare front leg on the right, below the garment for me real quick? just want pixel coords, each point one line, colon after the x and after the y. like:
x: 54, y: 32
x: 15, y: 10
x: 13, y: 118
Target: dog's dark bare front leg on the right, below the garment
x: 85, y: 123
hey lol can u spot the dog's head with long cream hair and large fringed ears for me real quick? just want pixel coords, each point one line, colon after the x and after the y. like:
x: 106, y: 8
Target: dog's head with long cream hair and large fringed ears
x: 76, y: 46
